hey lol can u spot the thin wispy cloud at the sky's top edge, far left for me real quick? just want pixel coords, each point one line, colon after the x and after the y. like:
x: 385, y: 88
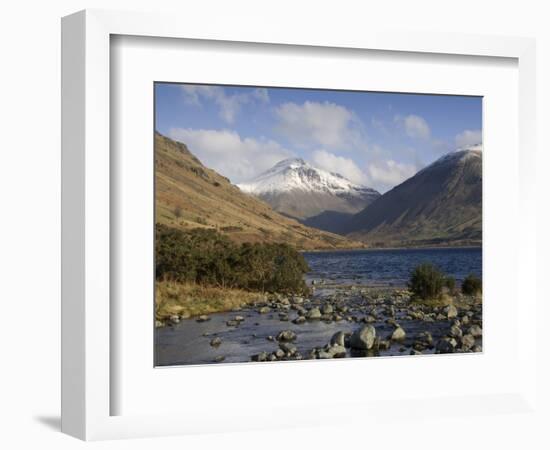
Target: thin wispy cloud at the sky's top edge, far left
x: 229, y: 105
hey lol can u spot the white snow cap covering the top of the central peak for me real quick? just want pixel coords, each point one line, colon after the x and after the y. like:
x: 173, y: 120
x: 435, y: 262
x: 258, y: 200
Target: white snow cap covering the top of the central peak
x: 296, y: 174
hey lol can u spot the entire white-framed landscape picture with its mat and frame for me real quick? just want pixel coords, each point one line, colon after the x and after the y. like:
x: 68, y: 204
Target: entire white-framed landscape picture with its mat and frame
x: 246, y: 211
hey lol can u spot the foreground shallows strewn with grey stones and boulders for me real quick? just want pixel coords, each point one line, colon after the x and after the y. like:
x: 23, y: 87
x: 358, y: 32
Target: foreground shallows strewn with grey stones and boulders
x: 335, y: 322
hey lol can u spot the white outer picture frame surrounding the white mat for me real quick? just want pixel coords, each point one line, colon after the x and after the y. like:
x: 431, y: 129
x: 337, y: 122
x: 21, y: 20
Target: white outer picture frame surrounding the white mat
x: 87, y: 328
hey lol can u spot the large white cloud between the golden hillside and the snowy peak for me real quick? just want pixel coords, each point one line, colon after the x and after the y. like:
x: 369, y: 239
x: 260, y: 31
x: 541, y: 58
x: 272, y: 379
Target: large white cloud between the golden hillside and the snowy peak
x: 229, y: 154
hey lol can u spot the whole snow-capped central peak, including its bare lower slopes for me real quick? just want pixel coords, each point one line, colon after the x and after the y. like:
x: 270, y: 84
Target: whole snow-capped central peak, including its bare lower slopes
x: 297, y: 189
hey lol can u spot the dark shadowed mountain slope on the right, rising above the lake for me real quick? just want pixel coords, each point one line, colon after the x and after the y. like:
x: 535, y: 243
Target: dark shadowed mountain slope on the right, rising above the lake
x: 439, y: 205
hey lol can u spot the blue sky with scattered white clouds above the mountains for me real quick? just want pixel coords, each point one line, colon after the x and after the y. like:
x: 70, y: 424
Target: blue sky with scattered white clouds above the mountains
x: 374, y: 139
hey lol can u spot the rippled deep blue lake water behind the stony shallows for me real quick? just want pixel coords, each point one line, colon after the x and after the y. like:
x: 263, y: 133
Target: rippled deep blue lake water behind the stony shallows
x: 390, y: 267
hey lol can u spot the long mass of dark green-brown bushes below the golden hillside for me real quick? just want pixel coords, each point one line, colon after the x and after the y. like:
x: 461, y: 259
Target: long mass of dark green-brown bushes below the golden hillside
x: 208, y: 258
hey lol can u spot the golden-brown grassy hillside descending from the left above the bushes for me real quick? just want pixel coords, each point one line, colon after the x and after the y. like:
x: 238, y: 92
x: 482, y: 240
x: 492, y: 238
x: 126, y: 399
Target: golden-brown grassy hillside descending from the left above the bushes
x: 189, y: 195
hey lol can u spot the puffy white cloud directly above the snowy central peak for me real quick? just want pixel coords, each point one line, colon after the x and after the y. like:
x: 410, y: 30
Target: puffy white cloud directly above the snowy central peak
x: 313, y: 123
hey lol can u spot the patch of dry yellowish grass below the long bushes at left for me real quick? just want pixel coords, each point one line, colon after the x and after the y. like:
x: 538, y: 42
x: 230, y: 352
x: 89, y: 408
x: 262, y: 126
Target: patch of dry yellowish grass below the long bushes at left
x: 188, y: 300
